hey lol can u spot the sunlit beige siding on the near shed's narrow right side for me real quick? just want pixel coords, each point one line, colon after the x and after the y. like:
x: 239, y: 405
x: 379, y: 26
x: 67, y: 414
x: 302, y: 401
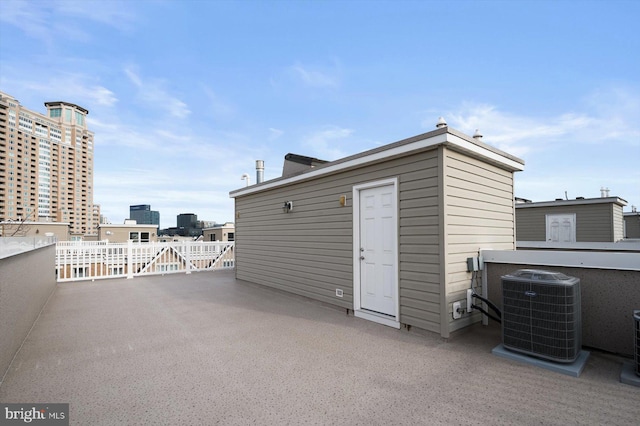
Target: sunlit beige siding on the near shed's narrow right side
x: 479, y: 214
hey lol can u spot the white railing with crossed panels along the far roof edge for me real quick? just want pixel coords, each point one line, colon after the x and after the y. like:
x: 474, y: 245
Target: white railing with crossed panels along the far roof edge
x: 90, y: 260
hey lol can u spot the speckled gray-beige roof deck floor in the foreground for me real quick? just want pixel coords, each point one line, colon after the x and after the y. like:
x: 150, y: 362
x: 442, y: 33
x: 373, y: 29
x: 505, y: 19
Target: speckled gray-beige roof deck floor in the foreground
x: 208, y: 349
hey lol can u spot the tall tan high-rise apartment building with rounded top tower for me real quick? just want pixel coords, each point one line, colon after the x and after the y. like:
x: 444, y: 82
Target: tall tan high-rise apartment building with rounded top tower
x: 46, y: 165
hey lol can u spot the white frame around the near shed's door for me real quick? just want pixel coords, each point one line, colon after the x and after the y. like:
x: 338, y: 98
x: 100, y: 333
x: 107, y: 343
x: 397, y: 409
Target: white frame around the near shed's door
x: 391, y: 321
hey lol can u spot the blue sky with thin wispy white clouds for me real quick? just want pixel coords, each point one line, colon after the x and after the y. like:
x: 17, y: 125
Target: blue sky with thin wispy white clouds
x: 183, y: 97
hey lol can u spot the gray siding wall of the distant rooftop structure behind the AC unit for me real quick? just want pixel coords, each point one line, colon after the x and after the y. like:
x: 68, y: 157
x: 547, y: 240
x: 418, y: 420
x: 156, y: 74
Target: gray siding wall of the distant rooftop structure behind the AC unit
x: 594, y: 222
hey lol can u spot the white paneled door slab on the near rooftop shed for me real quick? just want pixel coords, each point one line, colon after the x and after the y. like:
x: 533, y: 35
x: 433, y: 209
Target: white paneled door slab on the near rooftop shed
x: 378, y: 257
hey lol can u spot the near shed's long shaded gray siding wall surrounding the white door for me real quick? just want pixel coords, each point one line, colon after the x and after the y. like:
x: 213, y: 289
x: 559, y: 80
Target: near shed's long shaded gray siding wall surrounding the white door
x: 309, y: 251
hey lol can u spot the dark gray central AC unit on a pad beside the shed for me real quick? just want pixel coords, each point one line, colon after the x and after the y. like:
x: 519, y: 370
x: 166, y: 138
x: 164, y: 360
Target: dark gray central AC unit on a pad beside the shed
x: 541, y: 314
